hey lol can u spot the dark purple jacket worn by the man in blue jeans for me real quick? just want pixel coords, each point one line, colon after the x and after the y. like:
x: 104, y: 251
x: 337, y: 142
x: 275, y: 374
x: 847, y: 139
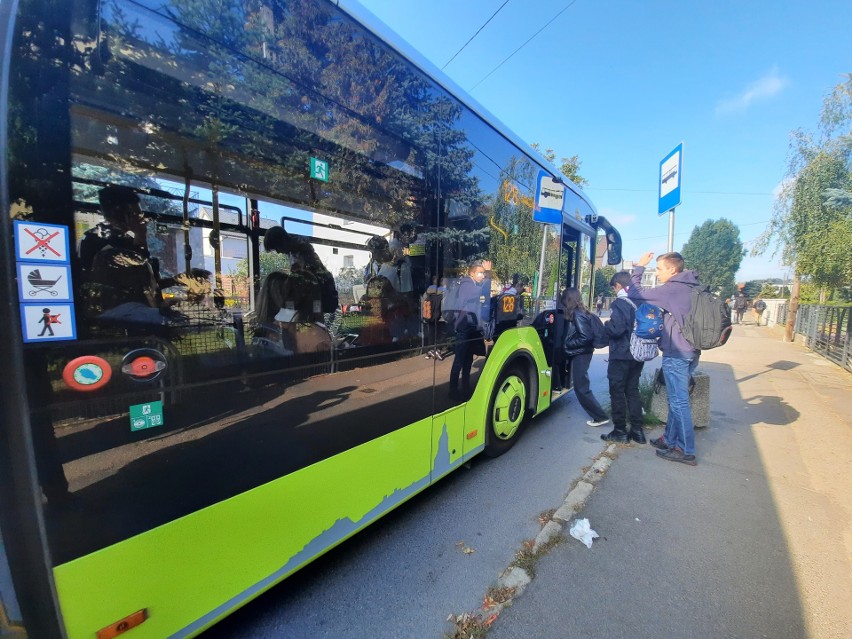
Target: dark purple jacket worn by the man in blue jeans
x: 675, y: 298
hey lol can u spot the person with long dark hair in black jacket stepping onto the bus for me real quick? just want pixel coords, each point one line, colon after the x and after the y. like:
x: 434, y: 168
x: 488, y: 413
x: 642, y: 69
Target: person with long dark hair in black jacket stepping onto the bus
x: 579, y: 347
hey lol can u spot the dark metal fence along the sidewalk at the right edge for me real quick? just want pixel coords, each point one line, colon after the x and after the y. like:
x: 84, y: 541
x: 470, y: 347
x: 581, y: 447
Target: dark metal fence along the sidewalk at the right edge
x: 825, y: 330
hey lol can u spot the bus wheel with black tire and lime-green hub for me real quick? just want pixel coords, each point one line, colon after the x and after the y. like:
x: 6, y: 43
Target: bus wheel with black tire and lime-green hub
x: 506, y: 411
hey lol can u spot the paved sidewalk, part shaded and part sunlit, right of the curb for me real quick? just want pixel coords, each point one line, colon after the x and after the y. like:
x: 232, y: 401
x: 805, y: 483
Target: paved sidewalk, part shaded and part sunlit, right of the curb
x: 756, y: 541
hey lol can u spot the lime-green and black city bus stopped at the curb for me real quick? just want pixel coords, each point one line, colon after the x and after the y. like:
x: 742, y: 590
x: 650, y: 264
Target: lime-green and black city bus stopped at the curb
x: 222, y: 222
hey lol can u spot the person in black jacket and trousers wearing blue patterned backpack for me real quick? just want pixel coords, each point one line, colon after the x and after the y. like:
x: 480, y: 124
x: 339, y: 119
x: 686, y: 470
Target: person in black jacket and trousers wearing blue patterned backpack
x: 623, y: 372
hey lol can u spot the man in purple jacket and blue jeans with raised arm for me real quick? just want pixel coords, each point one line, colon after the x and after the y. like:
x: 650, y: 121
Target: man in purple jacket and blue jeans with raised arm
x: 680, y: 359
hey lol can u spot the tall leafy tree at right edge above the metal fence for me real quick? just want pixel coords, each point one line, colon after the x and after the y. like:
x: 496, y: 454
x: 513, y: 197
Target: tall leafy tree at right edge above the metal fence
x: 812, y: 222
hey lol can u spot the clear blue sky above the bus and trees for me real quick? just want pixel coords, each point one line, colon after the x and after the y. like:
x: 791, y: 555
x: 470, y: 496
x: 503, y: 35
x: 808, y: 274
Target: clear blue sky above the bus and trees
x: 622, y: 82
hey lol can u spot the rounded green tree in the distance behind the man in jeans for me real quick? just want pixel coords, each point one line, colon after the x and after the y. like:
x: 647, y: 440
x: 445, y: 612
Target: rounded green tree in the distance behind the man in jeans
x: 714, y: 250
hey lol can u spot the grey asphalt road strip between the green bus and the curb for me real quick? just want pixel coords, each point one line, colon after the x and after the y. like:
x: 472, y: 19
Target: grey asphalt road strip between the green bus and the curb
x: 403, y: 576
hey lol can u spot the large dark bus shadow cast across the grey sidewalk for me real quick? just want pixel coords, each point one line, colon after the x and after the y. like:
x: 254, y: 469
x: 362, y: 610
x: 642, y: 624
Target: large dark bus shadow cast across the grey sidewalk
x: 683, y: 552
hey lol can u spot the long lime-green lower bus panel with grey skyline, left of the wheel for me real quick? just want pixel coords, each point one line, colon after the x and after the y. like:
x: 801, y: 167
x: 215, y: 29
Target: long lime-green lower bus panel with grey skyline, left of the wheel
x: 192, y: 571
